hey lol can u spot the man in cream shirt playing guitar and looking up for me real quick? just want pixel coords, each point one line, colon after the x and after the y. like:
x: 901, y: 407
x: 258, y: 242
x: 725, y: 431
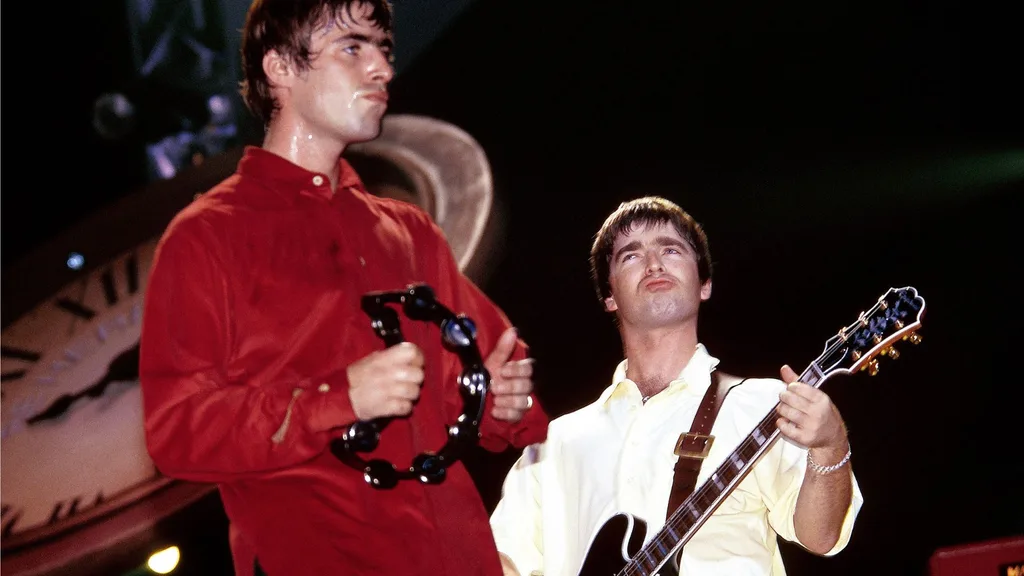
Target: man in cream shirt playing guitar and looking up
x: 652, y: 268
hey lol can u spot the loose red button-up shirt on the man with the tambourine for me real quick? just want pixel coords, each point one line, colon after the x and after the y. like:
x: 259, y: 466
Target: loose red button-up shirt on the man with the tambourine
x: 251, y: 319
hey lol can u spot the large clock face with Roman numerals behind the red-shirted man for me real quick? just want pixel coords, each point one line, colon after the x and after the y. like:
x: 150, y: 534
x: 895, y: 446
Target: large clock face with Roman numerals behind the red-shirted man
x: 73, y: 442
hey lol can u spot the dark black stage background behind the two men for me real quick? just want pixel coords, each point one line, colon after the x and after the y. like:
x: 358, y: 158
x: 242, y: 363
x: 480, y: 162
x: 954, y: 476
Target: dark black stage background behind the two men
x: 831, y: 150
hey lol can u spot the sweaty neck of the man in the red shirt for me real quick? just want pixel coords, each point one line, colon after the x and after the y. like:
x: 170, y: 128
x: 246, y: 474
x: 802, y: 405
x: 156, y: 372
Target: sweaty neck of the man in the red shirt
x: 300, y: 144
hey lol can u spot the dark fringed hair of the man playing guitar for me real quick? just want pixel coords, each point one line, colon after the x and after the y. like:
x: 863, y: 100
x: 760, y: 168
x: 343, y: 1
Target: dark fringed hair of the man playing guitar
x: 643, y: 213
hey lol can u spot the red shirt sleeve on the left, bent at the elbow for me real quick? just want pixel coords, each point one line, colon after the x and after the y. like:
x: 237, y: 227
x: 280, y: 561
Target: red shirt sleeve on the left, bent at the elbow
x: 201, y: 423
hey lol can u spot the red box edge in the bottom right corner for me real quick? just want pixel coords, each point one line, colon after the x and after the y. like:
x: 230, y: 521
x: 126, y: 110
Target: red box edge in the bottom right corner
x: 1003, y: 557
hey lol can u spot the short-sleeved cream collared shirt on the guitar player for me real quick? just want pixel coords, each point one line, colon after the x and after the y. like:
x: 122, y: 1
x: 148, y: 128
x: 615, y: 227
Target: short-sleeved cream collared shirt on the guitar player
x: 617, y: 456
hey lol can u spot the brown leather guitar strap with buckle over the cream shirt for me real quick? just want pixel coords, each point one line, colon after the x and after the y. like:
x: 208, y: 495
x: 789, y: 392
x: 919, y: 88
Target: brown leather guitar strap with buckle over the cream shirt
x: 693, y: 447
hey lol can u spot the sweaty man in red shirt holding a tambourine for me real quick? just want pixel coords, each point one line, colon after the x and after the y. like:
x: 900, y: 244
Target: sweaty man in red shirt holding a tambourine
x: 255, y: 354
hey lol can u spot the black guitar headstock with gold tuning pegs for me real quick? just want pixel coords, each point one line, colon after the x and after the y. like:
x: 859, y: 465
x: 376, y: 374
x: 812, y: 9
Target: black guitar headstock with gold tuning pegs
x: 895, y: 317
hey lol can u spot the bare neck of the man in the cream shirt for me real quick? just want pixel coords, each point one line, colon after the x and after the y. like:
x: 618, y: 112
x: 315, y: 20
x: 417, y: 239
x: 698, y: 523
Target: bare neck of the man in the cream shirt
x: 657, y: 357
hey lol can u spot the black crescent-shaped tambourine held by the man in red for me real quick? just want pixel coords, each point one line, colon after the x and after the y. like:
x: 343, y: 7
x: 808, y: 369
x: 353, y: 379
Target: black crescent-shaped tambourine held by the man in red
x: 459, y: 337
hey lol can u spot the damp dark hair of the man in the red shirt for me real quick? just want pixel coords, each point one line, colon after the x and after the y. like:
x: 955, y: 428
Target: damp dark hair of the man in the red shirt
x: 286, y: 26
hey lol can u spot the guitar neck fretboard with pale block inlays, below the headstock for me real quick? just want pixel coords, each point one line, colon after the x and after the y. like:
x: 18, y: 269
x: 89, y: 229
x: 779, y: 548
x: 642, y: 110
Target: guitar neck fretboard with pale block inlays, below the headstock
x: 686, y: 521
